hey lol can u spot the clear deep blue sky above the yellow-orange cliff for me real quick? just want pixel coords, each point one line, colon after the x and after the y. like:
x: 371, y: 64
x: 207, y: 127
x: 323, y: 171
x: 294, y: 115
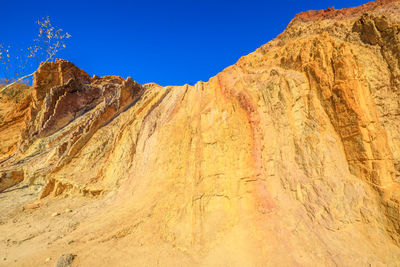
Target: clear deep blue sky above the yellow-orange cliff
x: 167, y: 42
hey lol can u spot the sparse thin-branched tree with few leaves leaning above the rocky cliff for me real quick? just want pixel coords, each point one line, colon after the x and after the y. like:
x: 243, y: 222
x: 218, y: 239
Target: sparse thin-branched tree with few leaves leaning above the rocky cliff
x: 49, y: 42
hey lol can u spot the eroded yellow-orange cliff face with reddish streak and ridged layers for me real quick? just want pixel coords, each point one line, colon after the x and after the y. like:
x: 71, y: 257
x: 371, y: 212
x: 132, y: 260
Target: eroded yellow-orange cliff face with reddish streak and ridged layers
x: 289, y: 157
